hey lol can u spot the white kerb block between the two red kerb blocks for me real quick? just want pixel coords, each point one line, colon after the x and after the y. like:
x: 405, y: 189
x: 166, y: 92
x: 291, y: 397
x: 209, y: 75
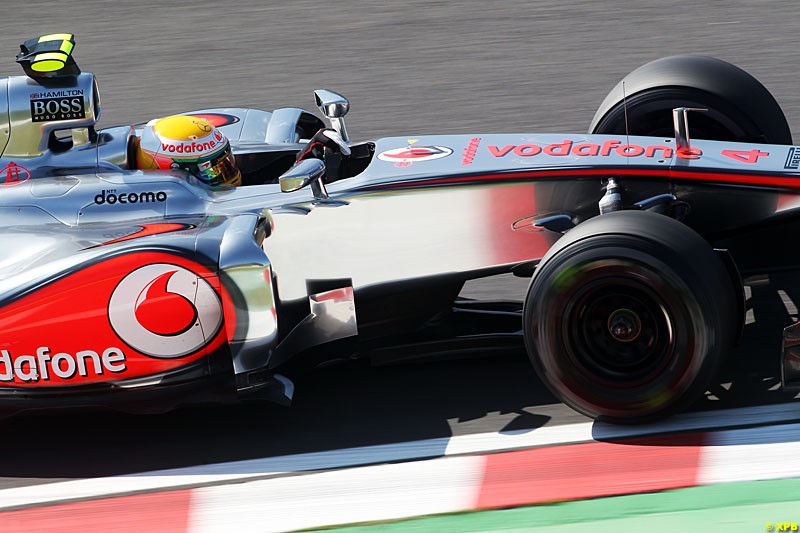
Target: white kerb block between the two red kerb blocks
x: 383, y: 492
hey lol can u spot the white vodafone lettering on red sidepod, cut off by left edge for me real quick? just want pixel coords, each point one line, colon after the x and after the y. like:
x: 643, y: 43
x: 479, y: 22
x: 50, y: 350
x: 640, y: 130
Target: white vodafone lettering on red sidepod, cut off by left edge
x: 45, y: 366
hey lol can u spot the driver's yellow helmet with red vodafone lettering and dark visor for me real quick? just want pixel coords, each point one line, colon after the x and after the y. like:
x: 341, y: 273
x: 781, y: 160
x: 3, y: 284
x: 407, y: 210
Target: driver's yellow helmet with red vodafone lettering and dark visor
x: 188, y: 143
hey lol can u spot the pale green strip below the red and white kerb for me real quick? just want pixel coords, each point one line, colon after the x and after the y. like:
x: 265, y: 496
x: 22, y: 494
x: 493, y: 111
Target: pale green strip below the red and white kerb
x: 749, y: 506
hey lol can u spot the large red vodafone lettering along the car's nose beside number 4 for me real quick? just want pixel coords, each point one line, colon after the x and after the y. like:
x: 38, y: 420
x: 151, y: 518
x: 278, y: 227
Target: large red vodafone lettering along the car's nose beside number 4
x: 569, y: 147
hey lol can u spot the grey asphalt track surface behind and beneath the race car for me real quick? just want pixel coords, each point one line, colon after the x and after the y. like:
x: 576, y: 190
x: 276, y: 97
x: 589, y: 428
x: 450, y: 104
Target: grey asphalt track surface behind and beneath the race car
x: 411, y: 68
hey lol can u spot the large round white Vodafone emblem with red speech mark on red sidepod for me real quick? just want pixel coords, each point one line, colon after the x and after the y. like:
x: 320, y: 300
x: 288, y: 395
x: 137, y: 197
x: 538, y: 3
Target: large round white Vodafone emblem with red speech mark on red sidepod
x: 165, y: 311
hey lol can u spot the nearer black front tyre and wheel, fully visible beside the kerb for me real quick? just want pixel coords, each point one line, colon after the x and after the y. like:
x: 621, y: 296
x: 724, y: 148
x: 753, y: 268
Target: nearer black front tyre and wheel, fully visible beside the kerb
x: 628, y: 315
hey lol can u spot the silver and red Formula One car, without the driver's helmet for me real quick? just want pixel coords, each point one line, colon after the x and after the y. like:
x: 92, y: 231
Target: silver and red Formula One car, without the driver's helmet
x: 143, y: 290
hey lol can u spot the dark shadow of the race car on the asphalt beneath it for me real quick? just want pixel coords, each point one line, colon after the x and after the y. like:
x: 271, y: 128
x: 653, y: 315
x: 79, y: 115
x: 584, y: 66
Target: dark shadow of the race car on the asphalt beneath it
x: 353, y: 404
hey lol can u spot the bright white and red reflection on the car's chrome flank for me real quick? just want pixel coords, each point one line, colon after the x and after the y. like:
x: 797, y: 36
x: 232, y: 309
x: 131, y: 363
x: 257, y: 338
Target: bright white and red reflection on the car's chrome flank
x: 383, y: 237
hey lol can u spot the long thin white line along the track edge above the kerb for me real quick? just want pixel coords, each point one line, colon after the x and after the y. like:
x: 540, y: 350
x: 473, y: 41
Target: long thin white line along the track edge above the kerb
x: 405, y: 451
